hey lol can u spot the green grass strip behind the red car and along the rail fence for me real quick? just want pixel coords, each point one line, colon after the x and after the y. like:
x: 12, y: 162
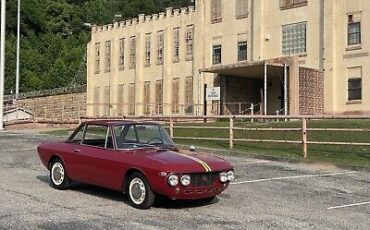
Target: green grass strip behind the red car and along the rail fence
x: 347, y: 156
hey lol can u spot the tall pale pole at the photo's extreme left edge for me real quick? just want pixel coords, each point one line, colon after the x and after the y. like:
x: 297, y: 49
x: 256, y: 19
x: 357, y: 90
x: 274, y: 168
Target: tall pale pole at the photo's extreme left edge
x: 2, y: 62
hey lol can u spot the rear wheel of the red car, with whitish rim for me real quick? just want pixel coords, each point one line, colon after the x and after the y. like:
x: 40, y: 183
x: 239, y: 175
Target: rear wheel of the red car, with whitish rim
x: 58, y: 175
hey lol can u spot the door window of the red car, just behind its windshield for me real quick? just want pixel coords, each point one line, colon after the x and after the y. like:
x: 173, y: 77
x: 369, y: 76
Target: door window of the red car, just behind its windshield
x: 96, y: 135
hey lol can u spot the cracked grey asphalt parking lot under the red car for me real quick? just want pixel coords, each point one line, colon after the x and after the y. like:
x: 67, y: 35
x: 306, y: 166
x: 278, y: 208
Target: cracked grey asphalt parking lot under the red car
x: 266, y: 195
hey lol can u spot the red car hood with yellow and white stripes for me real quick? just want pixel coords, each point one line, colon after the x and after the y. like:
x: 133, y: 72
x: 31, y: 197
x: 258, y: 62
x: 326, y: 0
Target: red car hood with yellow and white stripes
x: 187, y: 161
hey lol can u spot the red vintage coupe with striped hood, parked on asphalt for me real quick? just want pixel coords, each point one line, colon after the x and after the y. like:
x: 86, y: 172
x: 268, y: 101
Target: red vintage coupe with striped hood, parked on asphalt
x: 137, y: 158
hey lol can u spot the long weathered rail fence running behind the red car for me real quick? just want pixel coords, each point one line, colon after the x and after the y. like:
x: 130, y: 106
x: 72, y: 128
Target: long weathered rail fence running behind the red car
x: 182, y: 122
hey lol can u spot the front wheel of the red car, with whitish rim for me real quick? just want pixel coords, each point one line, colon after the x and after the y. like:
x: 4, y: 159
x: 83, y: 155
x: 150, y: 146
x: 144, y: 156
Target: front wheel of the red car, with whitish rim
x: 139, y: 192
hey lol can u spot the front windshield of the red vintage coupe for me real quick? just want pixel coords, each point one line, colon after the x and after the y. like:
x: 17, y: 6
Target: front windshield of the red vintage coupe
x: 141, y: 135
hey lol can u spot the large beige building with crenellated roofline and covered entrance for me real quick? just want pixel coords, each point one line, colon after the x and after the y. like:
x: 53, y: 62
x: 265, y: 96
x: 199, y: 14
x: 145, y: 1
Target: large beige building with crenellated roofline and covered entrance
x: 275, y: 56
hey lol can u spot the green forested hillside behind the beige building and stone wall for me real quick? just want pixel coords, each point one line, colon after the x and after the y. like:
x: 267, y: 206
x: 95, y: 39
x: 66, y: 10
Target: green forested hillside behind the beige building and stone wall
x: 53, y: 37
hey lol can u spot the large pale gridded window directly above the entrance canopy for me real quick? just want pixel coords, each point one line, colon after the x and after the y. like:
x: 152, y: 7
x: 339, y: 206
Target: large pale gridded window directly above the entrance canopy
x: 294, y: 38
